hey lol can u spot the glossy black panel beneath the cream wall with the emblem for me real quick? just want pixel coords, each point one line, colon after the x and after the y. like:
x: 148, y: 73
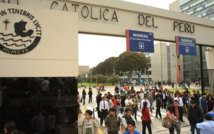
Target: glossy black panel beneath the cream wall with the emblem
x: 39, y: 105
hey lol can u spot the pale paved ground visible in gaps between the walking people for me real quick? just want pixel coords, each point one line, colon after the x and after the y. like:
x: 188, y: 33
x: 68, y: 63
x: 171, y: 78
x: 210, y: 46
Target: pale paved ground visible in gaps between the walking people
x: 156, y: 123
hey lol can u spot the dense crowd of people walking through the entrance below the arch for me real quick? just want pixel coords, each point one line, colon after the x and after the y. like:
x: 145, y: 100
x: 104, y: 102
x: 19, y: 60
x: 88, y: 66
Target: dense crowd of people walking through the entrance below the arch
x: 119, y: 111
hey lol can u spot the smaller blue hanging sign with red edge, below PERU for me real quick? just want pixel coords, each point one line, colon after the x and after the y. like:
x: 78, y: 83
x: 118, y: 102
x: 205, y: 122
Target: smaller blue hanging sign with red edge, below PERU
x: 185, y: 46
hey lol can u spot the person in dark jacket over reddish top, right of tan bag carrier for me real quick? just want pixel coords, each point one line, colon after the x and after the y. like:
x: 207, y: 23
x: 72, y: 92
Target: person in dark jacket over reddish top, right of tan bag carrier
x: 178, y: 112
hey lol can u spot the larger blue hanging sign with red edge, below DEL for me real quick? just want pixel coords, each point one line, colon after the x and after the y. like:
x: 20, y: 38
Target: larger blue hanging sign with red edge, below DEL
x: 139, y: 41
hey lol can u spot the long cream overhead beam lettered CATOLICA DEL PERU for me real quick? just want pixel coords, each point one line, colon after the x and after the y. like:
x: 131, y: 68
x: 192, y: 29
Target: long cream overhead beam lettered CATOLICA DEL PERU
x: 113, y: 17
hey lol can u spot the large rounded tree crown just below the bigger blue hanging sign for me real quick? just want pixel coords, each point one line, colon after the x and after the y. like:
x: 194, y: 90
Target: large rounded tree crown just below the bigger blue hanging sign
x: 131, y: 61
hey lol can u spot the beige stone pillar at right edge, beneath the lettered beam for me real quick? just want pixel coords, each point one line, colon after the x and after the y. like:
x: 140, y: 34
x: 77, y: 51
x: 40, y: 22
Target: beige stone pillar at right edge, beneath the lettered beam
x: 210, y: 66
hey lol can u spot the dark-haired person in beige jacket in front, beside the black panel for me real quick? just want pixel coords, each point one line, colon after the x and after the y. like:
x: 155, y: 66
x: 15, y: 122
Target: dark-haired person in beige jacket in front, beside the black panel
x: 87, y: 125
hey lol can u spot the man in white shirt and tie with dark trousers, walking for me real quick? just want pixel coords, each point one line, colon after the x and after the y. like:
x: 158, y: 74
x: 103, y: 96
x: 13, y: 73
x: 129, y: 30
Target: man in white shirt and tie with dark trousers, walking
x: 104, y: 109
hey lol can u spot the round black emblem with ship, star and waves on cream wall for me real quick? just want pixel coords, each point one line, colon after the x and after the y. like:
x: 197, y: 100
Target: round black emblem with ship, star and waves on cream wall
x: 20, y: 31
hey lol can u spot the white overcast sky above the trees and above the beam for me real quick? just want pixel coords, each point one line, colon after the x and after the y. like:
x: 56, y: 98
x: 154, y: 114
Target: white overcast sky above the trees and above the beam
x: 94, y: 49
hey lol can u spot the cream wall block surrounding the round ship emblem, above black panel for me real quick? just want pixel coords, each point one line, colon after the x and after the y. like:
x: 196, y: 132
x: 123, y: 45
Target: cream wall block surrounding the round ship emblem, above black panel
x: 55, y: 55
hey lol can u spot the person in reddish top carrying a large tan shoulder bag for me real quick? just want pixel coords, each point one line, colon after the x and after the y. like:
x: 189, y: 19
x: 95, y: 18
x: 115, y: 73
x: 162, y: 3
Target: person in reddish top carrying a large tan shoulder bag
x: 172, y: 122
